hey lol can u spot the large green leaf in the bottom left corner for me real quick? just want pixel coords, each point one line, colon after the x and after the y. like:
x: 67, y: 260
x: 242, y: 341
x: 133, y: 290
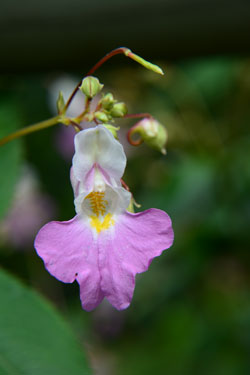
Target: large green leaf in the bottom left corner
x: 34, y: 338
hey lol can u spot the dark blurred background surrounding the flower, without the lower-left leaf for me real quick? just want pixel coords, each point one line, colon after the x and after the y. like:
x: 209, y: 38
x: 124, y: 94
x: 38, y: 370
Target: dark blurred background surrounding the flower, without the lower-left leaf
x: 191, y: 311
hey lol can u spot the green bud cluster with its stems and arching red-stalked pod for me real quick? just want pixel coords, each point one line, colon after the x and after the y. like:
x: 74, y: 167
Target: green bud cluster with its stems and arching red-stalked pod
x: 106, y: 110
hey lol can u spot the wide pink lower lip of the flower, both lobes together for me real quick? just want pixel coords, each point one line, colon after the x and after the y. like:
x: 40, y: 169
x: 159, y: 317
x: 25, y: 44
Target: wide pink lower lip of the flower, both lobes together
x: 104, y: 266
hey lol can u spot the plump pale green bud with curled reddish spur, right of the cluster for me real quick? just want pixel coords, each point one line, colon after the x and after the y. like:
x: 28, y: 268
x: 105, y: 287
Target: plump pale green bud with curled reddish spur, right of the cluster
x: 152, y: 133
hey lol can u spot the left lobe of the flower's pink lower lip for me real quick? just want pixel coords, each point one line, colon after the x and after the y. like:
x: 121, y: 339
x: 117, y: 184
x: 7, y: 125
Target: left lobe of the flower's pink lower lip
x: 70, y: 253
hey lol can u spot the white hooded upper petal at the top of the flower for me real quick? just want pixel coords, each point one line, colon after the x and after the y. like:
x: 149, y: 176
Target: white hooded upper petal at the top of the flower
x: 97, y: 146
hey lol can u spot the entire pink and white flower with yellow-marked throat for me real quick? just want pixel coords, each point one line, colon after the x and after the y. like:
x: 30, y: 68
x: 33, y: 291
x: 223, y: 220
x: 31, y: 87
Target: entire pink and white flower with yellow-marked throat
x: 103, y: 247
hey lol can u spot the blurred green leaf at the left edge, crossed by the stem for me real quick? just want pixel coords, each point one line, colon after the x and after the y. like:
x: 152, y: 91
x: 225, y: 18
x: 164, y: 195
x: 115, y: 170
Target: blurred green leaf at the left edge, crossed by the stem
x: 10, y: 154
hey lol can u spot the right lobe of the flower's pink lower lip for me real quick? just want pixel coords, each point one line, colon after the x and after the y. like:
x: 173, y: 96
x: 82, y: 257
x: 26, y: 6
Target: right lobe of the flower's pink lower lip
x: 137, y: 239
